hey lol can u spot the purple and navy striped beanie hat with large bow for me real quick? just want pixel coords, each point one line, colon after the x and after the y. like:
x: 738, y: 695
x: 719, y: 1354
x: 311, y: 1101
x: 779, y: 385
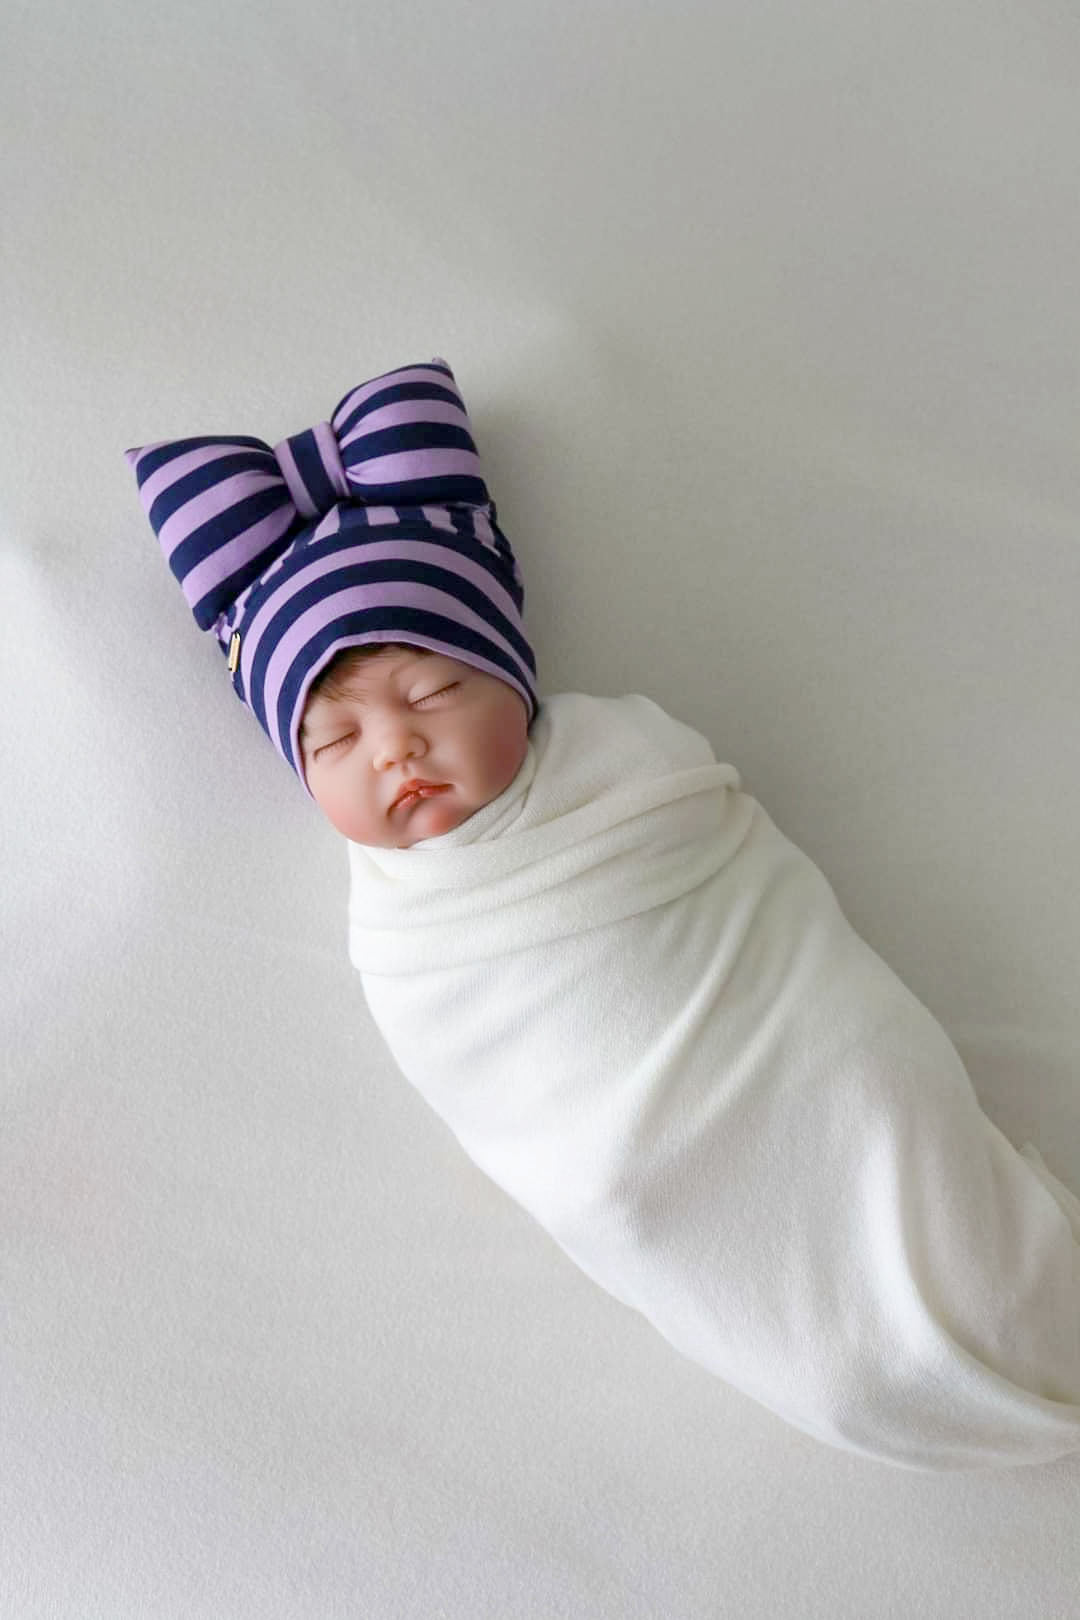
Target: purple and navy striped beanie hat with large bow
x: 372, y: 527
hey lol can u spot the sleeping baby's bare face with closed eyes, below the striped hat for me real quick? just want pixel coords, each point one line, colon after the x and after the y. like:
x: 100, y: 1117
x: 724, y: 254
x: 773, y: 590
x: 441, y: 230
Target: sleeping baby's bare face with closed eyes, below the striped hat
x: 412, y: 717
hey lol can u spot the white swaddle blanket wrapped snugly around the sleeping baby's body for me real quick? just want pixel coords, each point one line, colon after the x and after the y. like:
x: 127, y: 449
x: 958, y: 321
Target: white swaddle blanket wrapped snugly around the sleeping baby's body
x: 644, y: 1015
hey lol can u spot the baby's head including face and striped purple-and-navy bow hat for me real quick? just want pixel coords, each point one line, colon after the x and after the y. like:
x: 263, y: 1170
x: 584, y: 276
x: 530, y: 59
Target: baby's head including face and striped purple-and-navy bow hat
x: 359, y: 582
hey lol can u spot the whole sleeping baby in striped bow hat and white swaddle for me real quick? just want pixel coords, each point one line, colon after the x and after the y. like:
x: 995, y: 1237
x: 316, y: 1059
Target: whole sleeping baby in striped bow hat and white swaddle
x: 632, y: 999
